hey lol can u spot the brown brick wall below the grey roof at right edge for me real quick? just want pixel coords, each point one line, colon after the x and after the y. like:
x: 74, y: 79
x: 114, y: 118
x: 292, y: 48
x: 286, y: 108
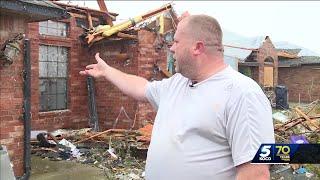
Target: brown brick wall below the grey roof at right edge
x: 299, y: 80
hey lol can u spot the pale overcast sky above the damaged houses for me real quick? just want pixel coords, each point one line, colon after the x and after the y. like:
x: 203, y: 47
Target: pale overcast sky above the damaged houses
x: 297, y: 22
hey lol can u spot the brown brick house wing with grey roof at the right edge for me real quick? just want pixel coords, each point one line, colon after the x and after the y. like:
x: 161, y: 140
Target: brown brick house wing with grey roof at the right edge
x: 301, y: 75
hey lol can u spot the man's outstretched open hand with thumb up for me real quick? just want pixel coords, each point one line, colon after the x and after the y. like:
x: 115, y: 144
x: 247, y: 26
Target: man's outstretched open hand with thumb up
x: 96, y: 70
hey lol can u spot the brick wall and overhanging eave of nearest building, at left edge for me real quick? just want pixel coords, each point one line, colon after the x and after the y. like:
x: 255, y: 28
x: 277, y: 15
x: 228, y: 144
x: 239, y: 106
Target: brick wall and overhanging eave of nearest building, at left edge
x: 13, y: 21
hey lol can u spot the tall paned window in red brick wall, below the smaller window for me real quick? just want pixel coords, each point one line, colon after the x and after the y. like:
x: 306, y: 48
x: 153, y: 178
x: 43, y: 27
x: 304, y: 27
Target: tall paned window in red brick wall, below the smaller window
x: 53, y: 66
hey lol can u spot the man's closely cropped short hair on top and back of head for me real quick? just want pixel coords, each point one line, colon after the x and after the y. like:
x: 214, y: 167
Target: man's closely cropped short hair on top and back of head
x: 206, y: 28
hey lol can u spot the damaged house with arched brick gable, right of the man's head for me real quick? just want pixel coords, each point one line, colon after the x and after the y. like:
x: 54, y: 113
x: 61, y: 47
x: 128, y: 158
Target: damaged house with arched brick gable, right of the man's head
x: 260, y: 60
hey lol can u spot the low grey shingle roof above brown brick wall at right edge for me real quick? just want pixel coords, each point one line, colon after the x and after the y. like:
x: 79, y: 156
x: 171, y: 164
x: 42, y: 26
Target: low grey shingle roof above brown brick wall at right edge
x: 303, y: 60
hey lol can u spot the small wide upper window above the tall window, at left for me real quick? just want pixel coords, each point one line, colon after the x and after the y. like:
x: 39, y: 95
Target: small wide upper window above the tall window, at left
x: 53, y: 28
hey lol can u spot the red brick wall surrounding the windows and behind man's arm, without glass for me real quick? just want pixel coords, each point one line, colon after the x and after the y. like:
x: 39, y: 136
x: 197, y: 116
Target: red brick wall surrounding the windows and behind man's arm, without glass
x: 109, y: 100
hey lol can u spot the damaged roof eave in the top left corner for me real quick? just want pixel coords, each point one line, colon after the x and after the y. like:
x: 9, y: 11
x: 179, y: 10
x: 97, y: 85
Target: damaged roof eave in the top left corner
x: 33, y: 10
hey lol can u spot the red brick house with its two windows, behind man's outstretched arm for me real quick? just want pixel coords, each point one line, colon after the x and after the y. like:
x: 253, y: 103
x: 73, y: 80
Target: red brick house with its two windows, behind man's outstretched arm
x: 60, y: 94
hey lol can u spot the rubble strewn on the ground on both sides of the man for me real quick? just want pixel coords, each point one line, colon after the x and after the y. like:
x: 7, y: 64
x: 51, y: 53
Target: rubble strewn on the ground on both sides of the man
x: 121, y: 153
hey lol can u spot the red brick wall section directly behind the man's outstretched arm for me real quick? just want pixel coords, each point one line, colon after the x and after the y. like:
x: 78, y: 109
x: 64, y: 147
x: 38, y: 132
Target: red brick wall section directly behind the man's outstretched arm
x: 142, y: 57
